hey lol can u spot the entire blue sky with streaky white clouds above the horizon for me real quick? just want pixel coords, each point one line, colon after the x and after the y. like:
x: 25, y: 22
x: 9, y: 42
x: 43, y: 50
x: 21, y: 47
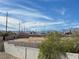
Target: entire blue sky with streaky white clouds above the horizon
x: 40, y: 14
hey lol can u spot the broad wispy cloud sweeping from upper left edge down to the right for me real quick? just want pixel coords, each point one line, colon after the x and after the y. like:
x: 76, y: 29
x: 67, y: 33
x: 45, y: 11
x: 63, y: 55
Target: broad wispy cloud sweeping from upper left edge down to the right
x: 23, y: 10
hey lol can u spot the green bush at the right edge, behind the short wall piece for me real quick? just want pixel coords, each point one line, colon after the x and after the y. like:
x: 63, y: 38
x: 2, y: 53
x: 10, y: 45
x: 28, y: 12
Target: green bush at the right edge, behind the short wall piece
x: 70, y: 44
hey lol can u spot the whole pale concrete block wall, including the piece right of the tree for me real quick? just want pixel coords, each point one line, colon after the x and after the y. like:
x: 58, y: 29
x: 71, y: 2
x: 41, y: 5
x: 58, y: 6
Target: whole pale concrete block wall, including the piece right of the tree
x: 28, y: 52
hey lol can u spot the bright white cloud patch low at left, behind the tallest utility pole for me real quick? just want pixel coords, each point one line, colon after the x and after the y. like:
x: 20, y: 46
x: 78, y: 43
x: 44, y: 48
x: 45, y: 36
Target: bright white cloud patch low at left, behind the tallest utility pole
x: 11, y: 22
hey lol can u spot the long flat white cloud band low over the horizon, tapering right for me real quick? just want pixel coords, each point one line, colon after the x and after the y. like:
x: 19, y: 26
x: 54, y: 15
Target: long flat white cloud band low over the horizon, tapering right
x: 37, y: 24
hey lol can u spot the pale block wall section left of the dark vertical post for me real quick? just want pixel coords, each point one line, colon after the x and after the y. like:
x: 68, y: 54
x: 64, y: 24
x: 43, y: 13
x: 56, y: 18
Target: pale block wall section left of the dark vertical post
x: 16, y: 51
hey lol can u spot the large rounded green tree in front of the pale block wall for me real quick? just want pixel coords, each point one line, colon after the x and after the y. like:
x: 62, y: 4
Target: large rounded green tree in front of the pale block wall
x: 52, y: 48
